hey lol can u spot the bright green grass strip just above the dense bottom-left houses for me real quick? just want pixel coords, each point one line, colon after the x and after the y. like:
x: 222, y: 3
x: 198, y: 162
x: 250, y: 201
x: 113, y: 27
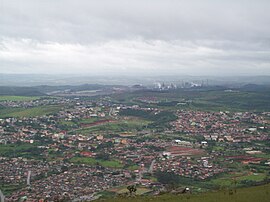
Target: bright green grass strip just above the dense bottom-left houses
x: 92, y: 161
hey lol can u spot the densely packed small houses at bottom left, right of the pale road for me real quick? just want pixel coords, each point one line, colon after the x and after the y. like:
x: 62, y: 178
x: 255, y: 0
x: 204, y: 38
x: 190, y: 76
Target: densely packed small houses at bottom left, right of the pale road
x: 74, y: 183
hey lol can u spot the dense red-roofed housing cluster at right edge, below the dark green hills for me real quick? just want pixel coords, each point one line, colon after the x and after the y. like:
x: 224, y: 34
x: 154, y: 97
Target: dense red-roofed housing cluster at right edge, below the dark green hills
x: 223, y: 126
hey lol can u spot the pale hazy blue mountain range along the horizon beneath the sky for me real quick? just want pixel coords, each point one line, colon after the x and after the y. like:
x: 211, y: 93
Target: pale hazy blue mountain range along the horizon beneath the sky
x: 62, y: 80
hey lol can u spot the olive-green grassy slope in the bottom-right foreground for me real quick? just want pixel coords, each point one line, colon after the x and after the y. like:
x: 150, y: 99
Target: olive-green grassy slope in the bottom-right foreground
x: 252, y: 194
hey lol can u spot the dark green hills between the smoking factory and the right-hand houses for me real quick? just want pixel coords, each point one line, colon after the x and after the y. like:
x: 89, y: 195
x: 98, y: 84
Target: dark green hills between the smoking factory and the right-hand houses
x: 212, y: 99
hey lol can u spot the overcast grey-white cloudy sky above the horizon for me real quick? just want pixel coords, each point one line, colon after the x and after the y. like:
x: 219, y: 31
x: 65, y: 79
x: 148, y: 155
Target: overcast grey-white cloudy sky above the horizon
x: 135, y: 37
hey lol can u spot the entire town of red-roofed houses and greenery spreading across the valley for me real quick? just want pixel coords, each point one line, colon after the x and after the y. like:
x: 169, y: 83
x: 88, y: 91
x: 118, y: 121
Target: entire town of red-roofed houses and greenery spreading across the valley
x: 87, y: 147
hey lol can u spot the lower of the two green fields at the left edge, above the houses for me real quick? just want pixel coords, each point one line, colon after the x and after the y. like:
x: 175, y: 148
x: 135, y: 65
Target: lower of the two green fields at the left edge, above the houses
x: 29, y: 112
